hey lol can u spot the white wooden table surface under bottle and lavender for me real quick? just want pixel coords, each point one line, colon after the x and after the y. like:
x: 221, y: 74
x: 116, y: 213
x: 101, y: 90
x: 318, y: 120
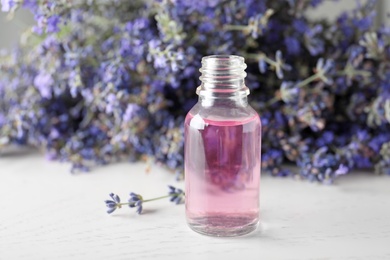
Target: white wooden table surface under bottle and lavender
x: 48, y: 213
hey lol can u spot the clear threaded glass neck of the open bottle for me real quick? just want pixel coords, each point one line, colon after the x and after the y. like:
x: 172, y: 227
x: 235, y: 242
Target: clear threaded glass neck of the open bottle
x: 223, y: 80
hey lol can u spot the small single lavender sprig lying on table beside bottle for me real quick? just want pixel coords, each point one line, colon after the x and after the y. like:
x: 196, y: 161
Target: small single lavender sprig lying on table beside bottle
x: 136, y: 201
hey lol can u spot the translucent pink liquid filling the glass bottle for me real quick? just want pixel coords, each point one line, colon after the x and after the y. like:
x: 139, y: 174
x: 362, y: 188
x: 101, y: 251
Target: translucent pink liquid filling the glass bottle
x: 222, y: 173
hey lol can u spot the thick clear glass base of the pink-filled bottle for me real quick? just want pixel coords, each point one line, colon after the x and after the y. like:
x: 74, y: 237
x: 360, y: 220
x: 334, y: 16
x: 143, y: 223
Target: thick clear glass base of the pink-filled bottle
x: 222, y: 226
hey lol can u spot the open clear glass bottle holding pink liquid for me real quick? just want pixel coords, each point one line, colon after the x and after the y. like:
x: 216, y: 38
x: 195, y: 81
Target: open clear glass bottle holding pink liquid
x: 222, y: 152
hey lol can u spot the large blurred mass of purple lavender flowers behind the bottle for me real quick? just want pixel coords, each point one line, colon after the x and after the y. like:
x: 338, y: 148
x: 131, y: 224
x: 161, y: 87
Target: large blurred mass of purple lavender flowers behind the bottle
x: 99, y: 81
